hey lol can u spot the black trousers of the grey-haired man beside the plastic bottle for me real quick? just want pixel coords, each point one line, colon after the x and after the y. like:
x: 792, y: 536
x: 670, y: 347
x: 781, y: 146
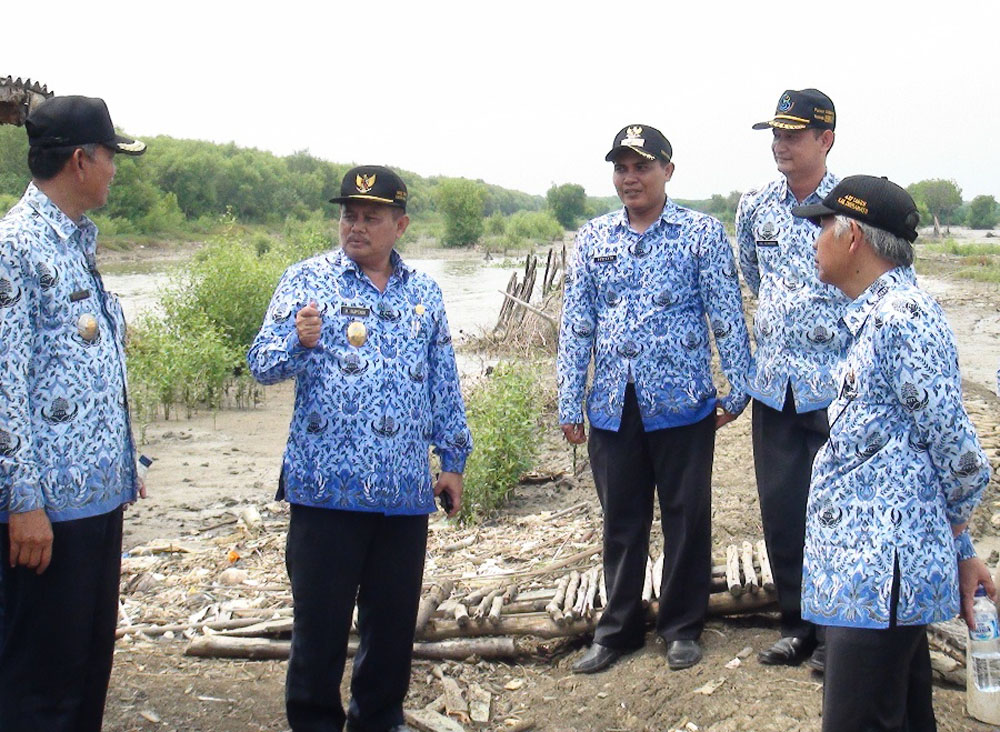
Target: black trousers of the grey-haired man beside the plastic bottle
x: 878, y: 680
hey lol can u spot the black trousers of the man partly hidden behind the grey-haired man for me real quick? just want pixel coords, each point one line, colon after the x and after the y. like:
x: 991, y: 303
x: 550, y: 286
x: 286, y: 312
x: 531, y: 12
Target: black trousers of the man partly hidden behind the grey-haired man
x: 784, y: 446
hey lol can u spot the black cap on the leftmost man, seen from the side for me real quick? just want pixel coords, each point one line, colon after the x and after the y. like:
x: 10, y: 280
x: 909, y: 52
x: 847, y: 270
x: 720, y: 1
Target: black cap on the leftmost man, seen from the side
x: 73, y: 121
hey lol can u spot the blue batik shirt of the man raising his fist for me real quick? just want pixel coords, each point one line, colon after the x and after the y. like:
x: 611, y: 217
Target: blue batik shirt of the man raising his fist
x: 364, y: 415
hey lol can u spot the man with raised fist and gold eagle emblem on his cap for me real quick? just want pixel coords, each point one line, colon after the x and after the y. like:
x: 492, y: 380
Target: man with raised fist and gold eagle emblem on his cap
x: 367, y: 341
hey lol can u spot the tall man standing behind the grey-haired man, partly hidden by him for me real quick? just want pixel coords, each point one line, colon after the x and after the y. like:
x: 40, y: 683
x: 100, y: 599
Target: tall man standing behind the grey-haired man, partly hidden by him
x: 800, y: 341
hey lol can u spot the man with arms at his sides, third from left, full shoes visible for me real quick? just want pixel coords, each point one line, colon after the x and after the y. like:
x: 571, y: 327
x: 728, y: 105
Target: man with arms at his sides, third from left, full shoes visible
x: 647, y: 284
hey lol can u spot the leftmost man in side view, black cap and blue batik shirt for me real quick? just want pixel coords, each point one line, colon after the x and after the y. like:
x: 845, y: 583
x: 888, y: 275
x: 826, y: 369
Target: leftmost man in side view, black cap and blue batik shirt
x: 67, y: 458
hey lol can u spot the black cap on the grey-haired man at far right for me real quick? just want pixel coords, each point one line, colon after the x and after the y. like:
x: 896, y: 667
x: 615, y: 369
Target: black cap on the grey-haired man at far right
x: 875, y: 201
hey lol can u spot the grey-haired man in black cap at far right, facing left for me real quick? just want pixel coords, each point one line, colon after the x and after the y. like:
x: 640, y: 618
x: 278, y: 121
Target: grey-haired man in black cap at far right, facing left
x: 887, y: 547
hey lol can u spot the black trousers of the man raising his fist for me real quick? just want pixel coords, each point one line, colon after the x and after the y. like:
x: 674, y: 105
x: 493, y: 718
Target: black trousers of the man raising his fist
x: 332, y: 558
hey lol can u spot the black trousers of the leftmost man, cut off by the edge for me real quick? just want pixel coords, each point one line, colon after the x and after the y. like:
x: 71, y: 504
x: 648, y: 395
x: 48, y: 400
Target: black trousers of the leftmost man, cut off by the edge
x: 59, y: 629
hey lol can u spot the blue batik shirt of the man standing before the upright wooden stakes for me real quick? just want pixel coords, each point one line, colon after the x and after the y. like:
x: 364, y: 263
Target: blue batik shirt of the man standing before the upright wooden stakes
x: 640, y: 305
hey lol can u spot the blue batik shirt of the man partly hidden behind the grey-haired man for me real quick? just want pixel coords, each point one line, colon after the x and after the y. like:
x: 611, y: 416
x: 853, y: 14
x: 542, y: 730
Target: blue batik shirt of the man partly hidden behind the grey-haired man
x: 800, y: 338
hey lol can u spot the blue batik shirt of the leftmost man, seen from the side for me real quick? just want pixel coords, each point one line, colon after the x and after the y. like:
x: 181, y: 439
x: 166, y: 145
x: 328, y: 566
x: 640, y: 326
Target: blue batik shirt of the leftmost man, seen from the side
x: 65, y: 438
